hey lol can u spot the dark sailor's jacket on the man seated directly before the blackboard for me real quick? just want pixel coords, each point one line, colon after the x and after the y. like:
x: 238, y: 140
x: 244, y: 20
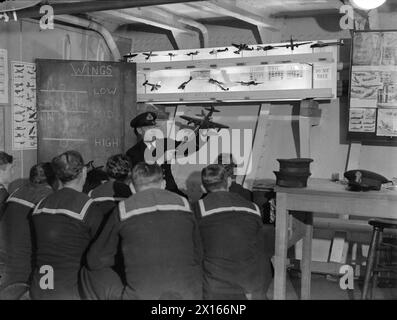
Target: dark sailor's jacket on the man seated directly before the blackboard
x: 65, y: 223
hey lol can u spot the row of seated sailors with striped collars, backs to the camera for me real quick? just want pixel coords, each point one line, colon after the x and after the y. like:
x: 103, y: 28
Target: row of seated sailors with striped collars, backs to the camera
x: 118, y: 243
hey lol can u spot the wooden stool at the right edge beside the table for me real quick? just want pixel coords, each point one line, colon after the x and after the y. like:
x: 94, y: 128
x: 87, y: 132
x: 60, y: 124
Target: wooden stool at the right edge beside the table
x: 373, y: 267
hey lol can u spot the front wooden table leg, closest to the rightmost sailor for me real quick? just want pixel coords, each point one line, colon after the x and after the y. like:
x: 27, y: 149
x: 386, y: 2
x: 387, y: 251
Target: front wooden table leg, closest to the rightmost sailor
x: 281, y: 246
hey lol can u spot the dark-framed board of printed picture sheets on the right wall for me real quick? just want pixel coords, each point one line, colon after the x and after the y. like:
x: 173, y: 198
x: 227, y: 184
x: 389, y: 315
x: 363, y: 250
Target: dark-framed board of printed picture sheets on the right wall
x: 373, y: 88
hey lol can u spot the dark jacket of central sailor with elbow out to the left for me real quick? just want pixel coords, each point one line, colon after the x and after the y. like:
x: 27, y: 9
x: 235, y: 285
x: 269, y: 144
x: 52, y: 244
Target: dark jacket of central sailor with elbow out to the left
x: 160, y: 243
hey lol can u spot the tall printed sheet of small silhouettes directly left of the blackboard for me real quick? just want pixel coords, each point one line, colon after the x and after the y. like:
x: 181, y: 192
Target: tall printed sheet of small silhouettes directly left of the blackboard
x: 24, y: 113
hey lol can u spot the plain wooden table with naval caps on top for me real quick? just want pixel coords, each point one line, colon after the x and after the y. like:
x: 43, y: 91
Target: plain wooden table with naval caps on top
x: 320, y: 196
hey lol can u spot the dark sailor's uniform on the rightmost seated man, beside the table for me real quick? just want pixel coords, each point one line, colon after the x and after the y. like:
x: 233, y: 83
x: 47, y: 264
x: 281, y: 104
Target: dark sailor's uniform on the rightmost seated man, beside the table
x: 232, y: 235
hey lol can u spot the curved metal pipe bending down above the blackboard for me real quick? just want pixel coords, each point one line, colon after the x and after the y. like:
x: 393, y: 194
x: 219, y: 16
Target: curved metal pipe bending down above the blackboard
x: 92, y: 25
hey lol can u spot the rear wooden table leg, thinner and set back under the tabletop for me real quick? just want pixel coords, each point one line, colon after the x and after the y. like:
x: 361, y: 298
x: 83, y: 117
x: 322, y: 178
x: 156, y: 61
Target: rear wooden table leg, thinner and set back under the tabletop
x: 307, y: 257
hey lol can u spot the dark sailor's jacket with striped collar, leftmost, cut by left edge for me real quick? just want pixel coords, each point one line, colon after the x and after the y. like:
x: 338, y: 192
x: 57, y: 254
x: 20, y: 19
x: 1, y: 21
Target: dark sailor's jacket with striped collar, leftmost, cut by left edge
x: 17, y: 231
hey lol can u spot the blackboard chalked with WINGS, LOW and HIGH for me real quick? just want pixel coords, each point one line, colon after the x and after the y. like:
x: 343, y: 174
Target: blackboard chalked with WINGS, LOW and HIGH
x: 85, y: 106
